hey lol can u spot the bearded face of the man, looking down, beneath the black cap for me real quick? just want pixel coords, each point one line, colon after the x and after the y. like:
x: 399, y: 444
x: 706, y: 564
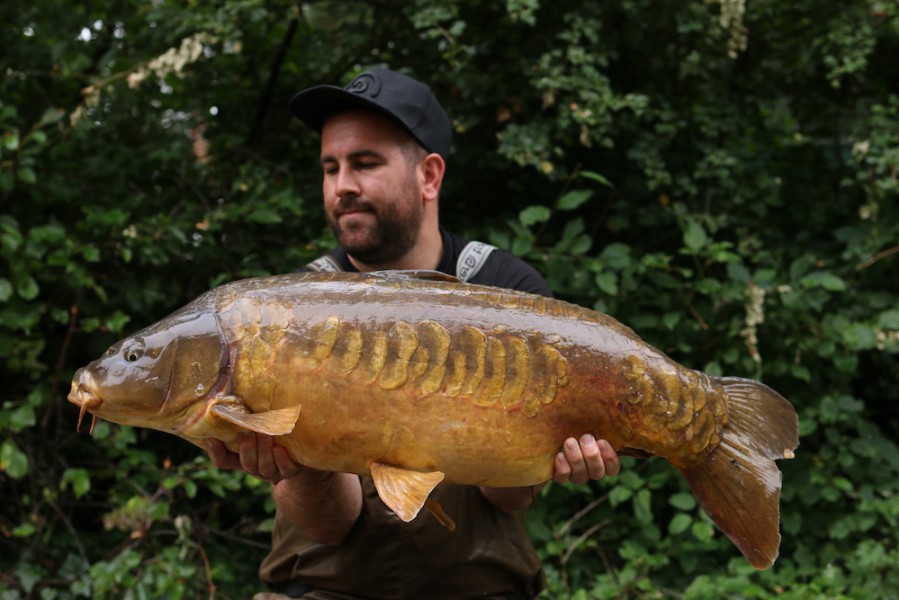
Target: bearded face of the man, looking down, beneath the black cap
x: 372, y: 195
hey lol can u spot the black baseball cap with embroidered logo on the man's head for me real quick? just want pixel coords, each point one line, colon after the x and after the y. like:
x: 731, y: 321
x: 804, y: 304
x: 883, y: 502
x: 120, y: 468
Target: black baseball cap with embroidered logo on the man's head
x: 406, y: 101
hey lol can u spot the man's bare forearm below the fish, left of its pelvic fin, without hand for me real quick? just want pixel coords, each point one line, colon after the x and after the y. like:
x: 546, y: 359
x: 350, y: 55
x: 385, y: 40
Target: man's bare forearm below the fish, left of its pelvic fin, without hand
x: 324, y: 505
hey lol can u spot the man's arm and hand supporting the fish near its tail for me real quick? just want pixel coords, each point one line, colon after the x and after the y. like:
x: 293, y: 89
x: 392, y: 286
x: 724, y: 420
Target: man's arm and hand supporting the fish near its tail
x: 577, y: 462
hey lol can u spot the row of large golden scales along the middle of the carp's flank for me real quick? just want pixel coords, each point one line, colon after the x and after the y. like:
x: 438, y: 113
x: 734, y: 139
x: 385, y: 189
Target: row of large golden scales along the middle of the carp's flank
x: 487, y: 367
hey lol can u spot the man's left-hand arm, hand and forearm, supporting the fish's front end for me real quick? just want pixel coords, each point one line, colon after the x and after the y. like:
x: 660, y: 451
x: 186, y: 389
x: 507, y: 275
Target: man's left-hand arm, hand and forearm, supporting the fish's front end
x: 324, y: 505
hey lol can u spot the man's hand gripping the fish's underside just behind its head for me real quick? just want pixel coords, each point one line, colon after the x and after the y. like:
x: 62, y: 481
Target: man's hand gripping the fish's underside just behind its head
x: 257, y: 455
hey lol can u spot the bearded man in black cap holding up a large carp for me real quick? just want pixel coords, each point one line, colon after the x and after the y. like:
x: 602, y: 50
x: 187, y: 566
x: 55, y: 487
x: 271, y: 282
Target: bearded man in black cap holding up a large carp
x: 384, y: 144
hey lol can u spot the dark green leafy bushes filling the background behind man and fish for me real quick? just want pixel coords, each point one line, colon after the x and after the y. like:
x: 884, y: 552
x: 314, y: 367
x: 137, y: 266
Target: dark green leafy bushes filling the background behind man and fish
x: 721, y: 175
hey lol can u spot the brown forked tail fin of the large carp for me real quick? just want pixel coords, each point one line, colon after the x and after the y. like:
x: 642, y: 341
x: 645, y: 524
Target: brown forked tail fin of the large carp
x: 738, y: 484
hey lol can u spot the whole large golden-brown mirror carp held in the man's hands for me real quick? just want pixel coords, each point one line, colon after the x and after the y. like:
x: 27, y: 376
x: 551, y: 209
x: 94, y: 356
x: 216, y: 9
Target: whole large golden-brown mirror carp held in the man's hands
x: 415, y: 378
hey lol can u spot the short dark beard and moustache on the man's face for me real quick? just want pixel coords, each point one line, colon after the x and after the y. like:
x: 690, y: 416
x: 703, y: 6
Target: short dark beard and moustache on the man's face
x: 387, y: 237
